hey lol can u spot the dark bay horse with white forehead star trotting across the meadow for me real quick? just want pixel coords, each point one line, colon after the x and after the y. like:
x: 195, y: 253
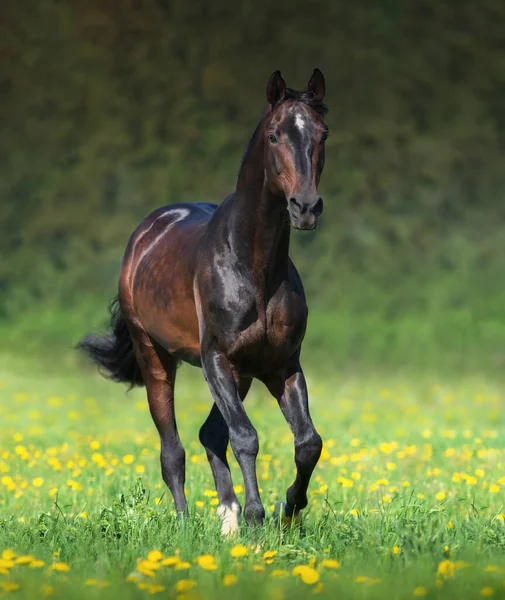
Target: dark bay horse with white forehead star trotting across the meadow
x: 214, y: 286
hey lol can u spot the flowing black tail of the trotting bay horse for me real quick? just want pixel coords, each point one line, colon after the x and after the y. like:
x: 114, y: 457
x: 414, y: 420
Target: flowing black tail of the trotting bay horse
x: 113, y: 353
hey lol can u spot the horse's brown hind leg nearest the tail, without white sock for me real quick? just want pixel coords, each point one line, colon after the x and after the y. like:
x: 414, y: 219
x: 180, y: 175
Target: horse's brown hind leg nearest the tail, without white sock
x: 159, y: 370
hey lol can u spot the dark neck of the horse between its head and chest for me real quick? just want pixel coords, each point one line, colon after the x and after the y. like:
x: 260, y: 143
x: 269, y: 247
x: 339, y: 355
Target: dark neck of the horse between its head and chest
x: 259, y: 223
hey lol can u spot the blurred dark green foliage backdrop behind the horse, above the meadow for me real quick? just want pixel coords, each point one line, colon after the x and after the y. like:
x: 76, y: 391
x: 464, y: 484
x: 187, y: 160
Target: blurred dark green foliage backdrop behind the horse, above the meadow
x: 111, y: 109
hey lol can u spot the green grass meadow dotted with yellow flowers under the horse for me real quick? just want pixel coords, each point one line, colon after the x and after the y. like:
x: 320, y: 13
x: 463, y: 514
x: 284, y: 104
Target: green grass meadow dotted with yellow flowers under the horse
x: 407, y: 500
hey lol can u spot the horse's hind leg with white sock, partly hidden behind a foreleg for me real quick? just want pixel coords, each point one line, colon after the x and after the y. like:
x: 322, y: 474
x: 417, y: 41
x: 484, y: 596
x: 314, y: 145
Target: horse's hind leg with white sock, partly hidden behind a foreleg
x: 214, y: 436
